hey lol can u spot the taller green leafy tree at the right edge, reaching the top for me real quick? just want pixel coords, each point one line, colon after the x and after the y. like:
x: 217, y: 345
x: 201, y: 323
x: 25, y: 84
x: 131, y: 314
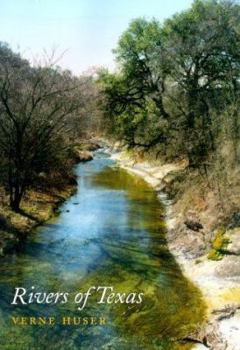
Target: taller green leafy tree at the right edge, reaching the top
x: 202, y: 45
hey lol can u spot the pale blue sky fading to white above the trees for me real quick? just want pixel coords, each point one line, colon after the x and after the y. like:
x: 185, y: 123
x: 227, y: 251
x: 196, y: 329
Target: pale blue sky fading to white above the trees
x: 86, y: 31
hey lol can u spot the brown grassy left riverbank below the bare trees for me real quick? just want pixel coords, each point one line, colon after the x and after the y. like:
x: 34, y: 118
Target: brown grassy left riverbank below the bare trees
x: 41, y: 203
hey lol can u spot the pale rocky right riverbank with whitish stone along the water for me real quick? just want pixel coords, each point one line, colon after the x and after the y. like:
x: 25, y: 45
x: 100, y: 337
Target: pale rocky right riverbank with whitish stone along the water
x: 207, y: 256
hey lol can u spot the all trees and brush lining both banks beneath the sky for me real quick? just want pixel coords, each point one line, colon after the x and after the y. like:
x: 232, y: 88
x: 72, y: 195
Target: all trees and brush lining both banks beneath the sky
x: 175, y: 95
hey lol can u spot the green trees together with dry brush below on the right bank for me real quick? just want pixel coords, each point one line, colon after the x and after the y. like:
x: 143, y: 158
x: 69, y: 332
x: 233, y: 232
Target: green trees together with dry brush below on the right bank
x: 176, y: 95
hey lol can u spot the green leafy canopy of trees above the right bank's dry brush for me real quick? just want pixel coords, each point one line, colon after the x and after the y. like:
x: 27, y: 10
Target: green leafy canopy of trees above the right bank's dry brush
x: 174, y: 78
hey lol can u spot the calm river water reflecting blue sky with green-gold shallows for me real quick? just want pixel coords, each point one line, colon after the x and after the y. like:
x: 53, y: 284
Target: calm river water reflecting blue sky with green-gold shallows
x: 110, y: 233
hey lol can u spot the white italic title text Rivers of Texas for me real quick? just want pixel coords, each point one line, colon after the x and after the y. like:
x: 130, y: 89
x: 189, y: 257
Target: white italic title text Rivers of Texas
x: 105, y: 295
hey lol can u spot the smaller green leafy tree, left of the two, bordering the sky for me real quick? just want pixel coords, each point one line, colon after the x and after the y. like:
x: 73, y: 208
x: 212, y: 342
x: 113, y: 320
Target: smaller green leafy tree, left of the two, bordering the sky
x: 139, y: 85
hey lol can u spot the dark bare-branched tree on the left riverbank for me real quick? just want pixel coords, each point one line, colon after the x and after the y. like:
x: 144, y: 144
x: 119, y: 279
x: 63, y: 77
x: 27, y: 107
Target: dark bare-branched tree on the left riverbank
x: 35, y: 105
